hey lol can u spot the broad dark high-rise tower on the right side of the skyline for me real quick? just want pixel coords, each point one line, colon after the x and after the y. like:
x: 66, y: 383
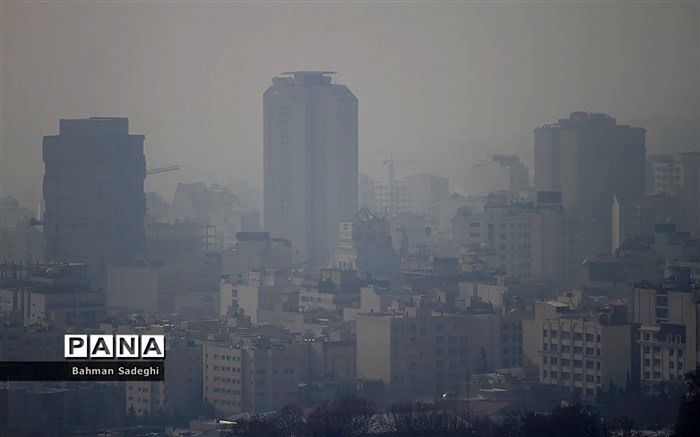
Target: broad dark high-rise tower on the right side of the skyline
x: 589, y: 158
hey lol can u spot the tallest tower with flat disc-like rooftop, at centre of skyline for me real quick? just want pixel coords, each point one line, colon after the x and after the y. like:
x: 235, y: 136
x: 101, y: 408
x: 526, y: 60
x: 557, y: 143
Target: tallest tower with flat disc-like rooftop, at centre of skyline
x: 310, y: 162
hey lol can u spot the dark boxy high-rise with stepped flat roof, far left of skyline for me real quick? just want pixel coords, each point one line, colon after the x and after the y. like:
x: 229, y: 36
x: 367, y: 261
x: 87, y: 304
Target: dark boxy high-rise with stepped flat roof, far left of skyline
x: 93, y: 189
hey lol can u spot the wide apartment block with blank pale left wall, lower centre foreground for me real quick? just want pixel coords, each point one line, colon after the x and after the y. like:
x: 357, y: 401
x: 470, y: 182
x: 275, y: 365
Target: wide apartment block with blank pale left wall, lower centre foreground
x: 422, y: 354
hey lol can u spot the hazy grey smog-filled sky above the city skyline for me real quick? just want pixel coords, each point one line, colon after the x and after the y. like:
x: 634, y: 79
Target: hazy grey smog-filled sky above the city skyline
x: 441, y: 84
